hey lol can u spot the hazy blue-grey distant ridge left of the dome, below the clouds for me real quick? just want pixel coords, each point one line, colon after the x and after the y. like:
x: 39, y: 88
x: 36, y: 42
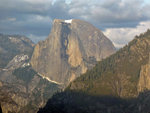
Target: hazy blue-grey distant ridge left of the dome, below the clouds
x: 12, y: 45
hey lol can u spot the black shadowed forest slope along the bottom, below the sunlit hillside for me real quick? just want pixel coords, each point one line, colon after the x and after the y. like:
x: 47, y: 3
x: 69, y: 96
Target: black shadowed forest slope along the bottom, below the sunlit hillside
x: 77, y: 102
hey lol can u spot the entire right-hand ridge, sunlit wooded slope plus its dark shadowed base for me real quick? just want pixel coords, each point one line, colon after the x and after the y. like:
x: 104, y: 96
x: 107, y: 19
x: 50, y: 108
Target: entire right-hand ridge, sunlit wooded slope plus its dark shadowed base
x: 117, y: 84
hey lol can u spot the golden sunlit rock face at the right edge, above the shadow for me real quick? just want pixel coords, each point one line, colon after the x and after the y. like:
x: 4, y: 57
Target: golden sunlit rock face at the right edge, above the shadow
x: 144, y: 79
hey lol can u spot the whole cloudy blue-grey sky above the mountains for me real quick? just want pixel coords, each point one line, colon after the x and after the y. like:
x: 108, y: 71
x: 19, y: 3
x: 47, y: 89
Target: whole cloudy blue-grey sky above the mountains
x: 119, y: 20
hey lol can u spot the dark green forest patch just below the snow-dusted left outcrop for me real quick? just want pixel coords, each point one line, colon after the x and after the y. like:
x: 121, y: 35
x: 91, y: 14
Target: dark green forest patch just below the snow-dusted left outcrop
x: 25, y: 73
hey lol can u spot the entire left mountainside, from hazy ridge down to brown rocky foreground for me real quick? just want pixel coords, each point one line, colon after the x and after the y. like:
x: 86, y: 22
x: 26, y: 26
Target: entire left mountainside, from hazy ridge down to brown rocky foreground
x: 21, y: 88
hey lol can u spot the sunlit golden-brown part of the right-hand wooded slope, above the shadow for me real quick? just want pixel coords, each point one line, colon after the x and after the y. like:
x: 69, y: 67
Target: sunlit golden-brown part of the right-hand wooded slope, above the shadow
x: 123, y: 74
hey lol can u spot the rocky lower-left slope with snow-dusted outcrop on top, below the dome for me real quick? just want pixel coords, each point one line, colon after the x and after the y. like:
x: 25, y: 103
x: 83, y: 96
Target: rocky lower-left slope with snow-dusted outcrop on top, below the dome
x: 22, y: 89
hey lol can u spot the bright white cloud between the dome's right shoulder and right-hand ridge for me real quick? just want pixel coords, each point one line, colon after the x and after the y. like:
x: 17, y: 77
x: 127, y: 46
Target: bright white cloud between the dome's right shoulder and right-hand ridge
x: 121, y: 36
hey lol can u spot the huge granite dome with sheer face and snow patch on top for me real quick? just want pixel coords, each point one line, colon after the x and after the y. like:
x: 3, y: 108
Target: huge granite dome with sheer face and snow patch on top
x: 72, y: 47
